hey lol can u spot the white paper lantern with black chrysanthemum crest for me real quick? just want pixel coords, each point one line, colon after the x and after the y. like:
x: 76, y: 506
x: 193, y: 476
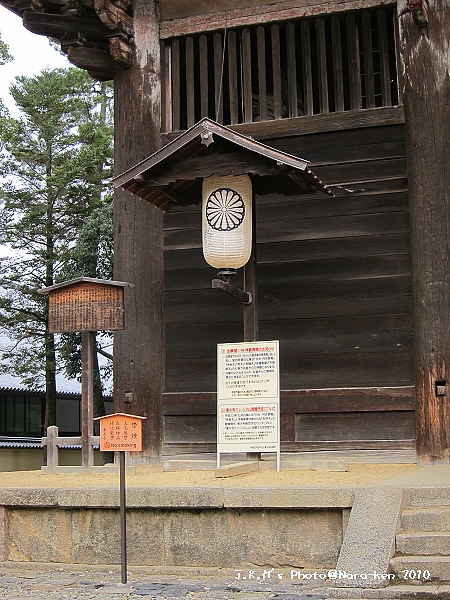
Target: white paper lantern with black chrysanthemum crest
x: 227, y: 221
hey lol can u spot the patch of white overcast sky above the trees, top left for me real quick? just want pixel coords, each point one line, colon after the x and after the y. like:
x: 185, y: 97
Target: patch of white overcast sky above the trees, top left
x: 31, y: 53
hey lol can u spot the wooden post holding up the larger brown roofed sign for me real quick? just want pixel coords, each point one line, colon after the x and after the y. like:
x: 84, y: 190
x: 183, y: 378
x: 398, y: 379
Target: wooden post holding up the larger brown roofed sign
x: 87, y: 399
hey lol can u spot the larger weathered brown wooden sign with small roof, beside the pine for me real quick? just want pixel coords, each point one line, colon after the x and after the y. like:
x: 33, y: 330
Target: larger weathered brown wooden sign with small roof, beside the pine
x: 86, y: 304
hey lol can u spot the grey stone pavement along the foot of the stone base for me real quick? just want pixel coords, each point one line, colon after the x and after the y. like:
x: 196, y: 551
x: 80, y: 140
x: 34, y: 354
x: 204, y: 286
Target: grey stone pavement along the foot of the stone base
x: 21, y: 581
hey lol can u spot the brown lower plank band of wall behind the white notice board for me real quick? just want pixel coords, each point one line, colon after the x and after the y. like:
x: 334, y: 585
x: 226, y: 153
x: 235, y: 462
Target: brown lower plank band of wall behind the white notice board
x: 367, y: 418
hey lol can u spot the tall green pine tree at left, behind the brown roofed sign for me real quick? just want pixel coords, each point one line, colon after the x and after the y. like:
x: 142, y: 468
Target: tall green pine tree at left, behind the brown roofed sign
x: 56, y: 159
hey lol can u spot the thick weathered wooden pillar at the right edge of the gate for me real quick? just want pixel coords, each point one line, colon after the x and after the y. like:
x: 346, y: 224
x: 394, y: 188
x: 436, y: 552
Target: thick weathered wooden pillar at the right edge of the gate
x: 424, y: 57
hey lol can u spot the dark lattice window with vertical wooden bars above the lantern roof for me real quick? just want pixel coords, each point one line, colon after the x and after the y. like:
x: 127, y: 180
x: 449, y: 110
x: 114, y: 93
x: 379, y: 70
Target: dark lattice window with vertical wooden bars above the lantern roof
x: 281, y: 70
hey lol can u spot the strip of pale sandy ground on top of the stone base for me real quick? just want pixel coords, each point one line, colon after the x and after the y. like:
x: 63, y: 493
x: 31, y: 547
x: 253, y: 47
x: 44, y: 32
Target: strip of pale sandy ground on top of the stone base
x: 154, y: 476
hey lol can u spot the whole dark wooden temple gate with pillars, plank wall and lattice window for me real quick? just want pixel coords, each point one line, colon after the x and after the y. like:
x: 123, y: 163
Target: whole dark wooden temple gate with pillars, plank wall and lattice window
x: 355, y: 287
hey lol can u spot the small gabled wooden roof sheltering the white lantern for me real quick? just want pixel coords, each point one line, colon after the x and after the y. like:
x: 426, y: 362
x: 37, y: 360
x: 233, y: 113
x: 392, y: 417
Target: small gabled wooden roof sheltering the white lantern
x: 167, y: 177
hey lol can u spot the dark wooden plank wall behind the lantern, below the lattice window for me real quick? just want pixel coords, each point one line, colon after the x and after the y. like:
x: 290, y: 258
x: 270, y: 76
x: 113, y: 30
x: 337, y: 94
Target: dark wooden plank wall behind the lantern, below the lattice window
x: 334, y: 288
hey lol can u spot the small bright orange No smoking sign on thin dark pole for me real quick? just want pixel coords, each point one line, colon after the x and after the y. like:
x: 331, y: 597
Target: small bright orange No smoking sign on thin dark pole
x: 120, y: 432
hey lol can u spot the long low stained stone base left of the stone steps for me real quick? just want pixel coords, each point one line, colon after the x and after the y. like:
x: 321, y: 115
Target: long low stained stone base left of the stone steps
x: 192, y: 527
